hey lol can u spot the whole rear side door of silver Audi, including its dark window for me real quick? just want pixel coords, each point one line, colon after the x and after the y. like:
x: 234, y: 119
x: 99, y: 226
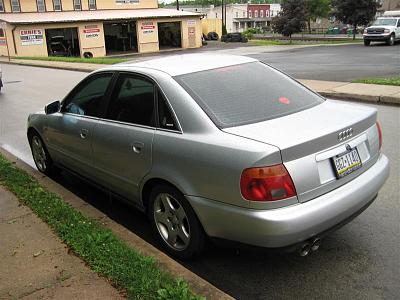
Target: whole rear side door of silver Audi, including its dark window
x: 122, y: 140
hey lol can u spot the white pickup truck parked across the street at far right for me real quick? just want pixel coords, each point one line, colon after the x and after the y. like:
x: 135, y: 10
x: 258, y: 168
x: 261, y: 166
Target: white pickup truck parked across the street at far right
x: 384, y: 29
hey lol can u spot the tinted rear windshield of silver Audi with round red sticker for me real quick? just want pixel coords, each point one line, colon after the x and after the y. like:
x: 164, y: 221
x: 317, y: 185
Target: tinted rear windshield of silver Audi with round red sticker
x: 246, y: 93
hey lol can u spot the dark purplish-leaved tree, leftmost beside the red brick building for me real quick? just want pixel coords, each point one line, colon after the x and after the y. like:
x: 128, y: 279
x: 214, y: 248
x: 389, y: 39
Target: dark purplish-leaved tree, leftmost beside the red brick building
x: 291, y: 19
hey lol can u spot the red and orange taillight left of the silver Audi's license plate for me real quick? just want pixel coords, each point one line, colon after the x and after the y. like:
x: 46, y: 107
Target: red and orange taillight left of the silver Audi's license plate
x: 267, y: 184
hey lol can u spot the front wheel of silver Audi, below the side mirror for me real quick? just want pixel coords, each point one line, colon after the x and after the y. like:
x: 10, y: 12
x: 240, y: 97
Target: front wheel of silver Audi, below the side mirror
x: 41, y: 156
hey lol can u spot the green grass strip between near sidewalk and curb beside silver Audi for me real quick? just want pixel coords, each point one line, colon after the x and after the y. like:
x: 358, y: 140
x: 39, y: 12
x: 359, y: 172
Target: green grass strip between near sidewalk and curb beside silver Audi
x: 105, y: 253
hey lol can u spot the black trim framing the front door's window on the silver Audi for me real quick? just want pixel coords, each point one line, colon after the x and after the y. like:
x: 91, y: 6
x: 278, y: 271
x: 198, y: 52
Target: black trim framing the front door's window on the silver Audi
x: 76, y: 89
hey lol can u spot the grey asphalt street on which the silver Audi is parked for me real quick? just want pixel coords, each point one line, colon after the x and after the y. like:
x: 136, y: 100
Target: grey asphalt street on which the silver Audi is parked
x: 360, y: 261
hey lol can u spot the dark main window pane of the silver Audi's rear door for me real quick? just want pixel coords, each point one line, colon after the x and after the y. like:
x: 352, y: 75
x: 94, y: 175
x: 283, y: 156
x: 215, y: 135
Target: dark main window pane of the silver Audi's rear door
x: 132, y: 101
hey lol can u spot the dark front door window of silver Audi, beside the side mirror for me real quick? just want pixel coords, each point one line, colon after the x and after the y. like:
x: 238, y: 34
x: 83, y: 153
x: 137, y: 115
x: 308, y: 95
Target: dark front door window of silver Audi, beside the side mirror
x: 87, y: 98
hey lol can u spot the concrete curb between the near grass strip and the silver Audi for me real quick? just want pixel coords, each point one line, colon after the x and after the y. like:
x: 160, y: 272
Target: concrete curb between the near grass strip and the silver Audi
x: 197, y: 284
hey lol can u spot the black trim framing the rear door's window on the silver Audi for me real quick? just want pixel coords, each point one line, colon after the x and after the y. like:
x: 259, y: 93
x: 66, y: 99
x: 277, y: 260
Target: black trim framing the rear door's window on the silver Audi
x: 155, y: 99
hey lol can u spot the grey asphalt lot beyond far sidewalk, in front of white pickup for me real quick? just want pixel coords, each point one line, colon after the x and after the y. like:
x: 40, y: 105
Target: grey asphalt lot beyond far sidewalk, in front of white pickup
x: 337, y: 63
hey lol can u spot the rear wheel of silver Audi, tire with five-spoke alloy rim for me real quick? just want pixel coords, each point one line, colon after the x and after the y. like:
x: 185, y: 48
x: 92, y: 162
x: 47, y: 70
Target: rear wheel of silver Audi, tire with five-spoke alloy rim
x: 174, y: 223
